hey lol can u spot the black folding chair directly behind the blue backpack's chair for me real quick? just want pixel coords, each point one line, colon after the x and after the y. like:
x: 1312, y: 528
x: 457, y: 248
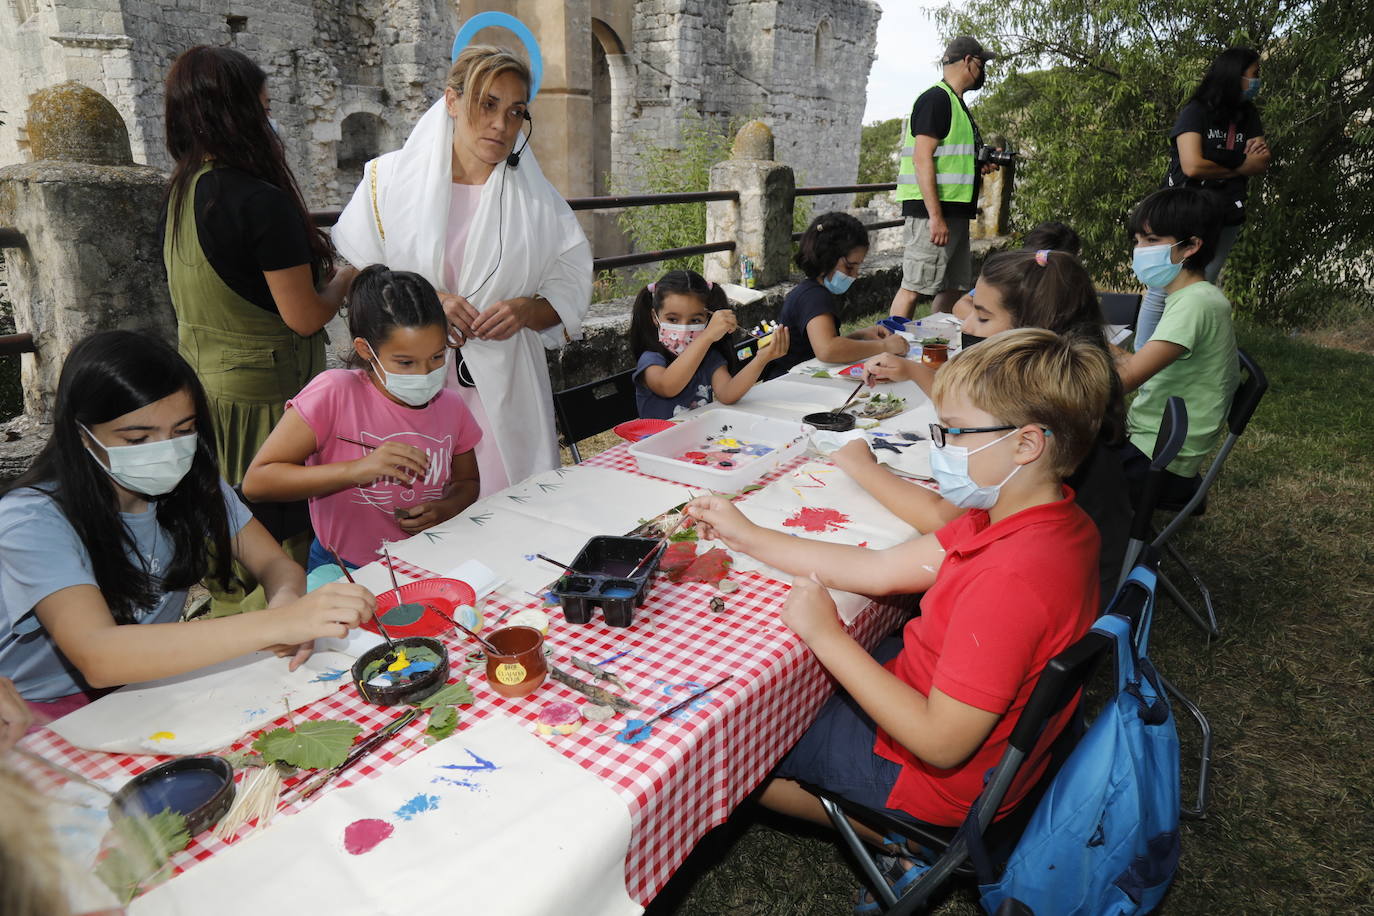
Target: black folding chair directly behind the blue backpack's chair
x: 1141, y: 549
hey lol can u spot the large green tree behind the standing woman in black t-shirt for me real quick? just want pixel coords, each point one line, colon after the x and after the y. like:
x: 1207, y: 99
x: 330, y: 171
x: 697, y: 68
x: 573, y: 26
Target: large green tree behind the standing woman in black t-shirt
x: 1089, y: 91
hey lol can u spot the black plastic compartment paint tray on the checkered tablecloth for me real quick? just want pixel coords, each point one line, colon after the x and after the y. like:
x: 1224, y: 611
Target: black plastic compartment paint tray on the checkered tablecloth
x: 607, y: 565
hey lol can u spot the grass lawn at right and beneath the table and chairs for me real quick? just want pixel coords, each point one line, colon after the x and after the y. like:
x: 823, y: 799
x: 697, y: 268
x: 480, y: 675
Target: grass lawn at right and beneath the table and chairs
x: 1287, y: 549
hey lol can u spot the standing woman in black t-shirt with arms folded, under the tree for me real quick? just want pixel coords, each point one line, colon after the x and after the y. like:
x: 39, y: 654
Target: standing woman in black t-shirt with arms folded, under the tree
x: 1218, y: 145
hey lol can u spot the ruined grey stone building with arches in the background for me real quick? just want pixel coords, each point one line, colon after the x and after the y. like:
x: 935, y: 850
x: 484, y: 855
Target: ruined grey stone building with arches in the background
x: 350, y: 78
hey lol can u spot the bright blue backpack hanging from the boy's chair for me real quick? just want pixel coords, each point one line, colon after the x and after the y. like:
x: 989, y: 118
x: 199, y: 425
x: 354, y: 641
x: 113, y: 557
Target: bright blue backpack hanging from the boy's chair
x: 1104, y: 841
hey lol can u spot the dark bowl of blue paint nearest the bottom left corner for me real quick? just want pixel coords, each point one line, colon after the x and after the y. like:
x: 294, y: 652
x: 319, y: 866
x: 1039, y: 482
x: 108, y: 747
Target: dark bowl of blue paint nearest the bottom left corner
x: 200, y: 789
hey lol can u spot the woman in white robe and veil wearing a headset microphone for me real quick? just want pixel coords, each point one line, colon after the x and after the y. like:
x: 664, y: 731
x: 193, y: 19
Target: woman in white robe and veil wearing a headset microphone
x: 498, y: 241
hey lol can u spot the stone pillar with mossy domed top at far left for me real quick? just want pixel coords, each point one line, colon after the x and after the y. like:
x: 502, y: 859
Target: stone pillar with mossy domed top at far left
x: 90, y: 219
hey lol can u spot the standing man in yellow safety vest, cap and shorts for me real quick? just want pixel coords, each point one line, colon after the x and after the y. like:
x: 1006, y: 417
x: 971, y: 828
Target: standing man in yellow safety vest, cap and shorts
x: 938, y: 183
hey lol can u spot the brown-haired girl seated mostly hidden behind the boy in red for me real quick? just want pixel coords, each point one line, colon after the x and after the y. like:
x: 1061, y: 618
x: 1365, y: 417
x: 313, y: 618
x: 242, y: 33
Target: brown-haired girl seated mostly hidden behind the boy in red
x: 1020, y: 289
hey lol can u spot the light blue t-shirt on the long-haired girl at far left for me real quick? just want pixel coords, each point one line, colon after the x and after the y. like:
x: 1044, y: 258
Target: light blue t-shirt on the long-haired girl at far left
x: 42, y: 554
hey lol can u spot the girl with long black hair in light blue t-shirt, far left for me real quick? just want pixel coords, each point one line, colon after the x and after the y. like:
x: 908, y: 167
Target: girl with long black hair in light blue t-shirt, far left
x: 120, y: 514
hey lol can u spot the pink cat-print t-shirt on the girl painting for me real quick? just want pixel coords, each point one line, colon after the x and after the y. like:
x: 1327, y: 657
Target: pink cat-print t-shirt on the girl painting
x: 346, y: 403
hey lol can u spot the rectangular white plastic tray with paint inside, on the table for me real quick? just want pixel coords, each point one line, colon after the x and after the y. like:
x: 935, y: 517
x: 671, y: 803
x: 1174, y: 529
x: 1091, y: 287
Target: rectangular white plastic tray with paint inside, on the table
x: 659, y: 455
